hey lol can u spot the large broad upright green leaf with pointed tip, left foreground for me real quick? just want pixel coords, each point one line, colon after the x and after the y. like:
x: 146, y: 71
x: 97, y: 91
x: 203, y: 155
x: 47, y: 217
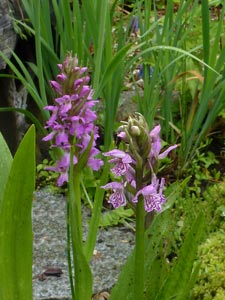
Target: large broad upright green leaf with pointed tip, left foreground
x: 16, y: 224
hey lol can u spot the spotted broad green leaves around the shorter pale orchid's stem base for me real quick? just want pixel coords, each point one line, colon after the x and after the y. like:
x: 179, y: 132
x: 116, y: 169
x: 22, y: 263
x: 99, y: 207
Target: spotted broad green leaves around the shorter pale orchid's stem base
x: 160, y: 282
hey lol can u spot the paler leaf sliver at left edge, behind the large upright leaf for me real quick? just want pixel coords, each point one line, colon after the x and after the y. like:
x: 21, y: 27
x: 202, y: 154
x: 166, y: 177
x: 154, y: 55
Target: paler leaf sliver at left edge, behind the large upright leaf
x: 5, y: 165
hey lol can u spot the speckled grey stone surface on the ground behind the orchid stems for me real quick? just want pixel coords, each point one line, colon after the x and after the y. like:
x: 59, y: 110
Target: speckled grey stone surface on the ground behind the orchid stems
x: 113, y: 246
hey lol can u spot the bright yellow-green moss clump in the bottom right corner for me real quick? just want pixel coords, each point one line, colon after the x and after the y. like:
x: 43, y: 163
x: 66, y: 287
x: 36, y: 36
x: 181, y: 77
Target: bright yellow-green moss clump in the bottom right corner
x: 211, y: 280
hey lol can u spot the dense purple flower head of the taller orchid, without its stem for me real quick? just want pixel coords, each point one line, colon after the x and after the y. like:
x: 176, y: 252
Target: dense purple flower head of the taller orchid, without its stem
x: 72, y: 117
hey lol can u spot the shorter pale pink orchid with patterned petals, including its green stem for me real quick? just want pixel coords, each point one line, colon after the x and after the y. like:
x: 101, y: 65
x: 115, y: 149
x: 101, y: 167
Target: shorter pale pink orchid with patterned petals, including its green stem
x: 136, y: 166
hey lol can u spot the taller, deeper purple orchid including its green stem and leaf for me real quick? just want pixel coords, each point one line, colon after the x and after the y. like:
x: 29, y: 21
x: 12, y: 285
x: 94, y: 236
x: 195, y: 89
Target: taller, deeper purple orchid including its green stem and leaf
x: 74, y: 132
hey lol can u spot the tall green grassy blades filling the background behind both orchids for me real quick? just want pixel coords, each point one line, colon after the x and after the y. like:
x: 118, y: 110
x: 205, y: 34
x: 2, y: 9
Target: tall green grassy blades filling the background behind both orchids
x: 177, y: 45
